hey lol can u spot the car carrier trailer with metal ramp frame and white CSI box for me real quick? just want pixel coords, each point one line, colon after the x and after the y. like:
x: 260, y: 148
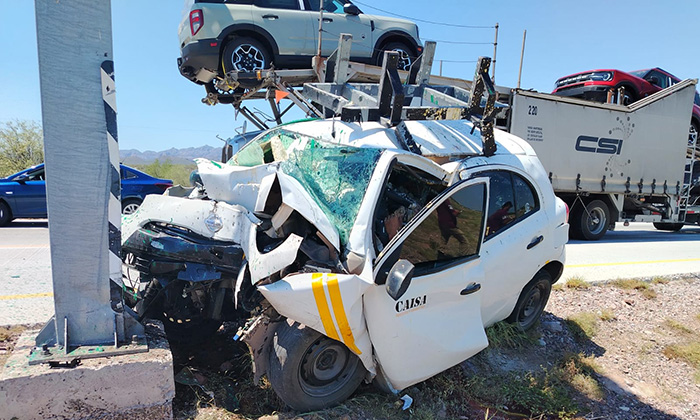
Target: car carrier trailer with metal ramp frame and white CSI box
x: 608, y: 162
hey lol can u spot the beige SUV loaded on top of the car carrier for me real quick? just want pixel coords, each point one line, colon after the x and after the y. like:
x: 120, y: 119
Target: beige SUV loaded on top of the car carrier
x: 218, y: 36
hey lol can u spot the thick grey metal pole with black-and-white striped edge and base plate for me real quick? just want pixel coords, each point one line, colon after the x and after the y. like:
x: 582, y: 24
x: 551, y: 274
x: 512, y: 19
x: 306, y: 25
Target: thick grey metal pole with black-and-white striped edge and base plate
x: 78, y: 105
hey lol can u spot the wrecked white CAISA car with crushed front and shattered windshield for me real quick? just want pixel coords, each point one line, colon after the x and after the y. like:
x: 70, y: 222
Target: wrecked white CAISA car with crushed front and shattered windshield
x: 350, y: 258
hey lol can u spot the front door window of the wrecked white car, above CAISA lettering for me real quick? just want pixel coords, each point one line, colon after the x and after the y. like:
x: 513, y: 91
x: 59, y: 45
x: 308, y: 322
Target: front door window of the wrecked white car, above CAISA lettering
x: 450, y: 233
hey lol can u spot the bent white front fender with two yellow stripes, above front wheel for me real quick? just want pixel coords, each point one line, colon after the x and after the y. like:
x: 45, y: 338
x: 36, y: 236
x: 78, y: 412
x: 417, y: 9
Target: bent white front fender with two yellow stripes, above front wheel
x: 330, y: 303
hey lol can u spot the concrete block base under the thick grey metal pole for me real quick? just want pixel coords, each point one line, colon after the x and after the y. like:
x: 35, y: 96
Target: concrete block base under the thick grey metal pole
x: 135, y: 386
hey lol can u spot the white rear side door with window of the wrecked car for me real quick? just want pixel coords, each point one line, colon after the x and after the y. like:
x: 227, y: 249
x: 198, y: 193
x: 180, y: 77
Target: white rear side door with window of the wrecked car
x: 516, y: 243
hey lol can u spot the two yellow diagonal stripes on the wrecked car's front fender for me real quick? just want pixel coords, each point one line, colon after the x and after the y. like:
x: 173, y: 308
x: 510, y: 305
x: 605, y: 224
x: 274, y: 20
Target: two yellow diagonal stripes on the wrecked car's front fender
x: 338, y: 309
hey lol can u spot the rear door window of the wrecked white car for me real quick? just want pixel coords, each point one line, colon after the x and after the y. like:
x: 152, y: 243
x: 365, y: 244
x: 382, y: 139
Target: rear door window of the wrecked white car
x: 511, y: 199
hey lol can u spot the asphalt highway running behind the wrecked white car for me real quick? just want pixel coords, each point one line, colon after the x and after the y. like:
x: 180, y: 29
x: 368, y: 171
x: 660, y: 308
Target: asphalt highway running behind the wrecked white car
x: 638, y: 250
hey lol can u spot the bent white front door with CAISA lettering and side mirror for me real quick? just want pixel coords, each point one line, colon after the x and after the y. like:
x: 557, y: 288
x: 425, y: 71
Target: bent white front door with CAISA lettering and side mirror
x: 436, y: 323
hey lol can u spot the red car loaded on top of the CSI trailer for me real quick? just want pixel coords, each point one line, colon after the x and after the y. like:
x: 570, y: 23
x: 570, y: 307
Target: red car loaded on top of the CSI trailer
x: 595, y: 84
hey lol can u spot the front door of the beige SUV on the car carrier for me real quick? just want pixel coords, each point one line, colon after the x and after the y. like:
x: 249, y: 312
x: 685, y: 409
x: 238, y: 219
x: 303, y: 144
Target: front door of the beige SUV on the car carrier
x: 336, y: 22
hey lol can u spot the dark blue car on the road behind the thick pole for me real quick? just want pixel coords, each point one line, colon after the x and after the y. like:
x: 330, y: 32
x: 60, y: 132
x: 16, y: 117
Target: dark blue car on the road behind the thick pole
x: 23, y: 195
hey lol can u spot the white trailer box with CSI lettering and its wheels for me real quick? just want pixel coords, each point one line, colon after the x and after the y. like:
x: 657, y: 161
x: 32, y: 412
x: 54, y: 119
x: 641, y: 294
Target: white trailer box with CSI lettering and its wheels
x: 611, y: 162
